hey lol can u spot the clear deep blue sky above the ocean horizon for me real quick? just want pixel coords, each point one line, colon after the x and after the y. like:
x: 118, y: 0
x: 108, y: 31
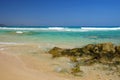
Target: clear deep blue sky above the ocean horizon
x: 60, y: 12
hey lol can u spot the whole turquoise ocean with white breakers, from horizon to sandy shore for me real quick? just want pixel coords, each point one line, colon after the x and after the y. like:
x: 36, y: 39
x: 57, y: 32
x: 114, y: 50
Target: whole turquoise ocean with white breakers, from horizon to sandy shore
x: 74, y: 36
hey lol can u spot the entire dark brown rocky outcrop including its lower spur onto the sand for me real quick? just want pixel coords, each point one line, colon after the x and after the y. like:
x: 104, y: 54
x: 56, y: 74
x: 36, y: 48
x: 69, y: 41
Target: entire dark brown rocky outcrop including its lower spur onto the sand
x: 105, y: 53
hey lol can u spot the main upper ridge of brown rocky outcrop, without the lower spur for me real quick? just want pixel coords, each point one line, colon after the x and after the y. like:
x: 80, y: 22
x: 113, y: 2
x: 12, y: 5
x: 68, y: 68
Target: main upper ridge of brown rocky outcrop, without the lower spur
x: 104, y: 52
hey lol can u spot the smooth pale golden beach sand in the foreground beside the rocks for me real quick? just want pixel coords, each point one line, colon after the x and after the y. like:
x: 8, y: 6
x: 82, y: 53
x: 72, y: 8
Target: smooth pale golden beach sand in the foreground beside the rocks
x: 29, y: 62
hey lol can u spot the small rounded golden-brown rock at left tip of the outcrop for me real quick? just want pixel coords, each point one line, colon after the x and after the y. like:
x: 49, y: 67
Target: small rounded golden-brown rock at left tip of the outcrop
x: 56, y: 52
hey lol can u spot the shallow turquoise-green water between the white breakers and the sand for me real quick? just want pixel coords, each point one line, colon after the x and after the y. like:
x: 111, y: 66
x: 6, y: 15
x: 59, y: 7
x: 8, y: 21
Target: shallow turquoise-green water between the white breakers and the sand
x: 60, y: 37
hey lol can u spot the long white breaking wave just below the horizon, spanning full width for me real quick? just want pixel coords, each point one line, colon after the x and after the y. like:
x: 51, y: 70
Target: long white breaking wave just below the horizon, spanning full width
x: 76, y: 29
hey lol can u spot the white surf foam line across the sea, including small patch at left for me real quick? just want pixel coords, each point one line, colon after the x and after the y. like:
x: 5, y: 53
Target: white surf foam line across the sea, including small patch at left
x: 82, y: 29
